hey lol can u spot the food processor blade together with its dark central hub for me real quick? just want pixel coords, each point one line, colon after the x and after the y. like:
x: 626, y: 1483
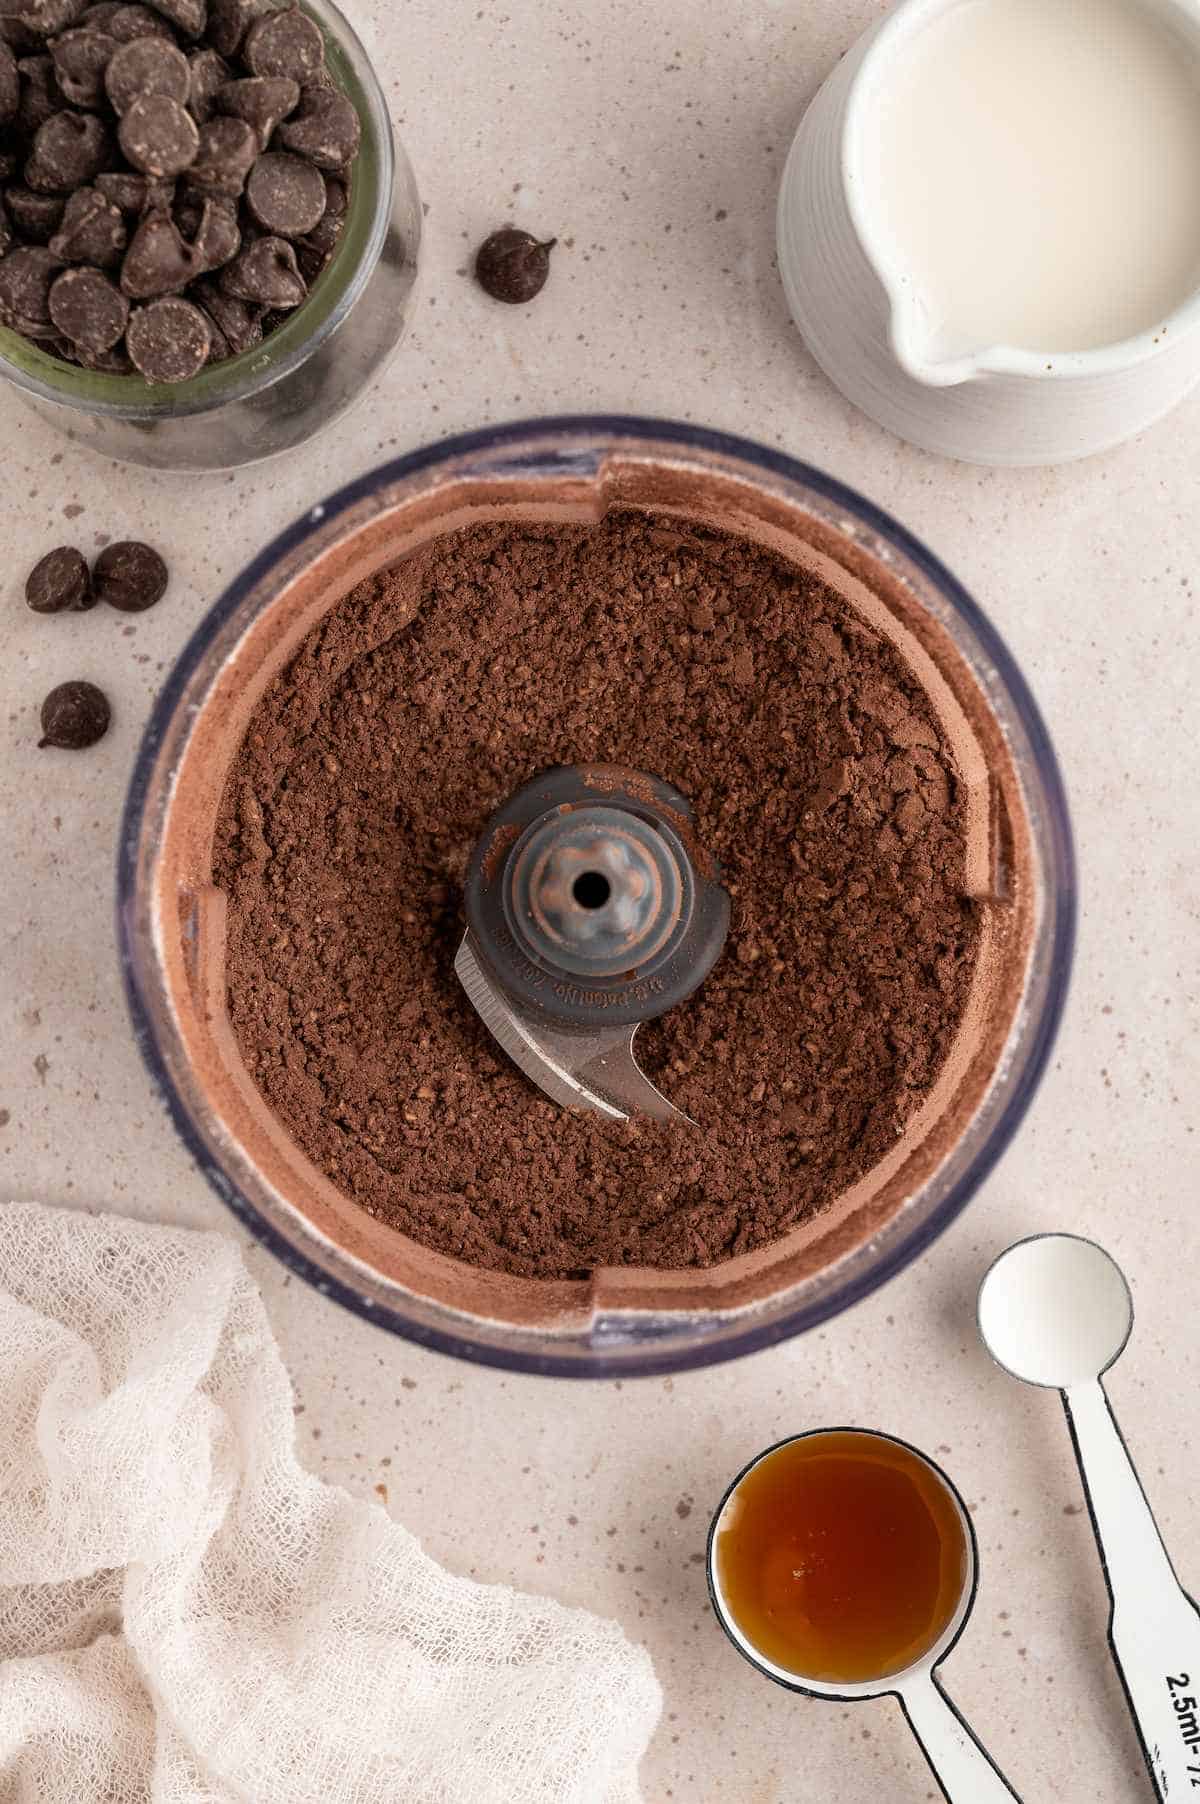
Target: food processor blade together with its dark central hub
x: 591, y: 908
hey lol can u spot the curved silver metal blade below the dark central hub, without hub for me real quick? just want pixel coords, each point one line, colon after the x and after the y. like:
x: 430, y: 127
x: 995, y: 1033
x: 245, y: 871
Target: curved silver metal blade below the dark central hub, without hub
x: 582, y: 1071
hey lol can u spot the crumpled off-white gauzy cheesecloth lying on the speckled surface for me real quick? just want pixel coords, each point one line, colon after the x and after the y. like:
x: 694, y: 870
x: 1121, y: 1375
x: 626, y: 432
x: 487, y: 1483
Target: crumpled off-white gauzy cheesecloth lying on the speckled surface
x: 187, y: 1617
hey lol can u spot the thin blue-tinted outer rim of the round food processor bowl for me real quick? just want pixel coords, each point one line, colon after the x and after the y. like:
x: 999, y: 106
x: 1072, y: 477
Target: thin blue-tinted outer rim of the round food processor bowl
x: 643, y: 1359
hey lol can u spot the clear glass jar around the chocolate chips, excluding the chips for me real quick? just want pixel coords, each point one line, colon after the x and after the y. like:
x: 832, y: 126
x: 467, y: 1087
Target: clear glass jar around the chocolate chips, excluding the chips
x: 279, y: 394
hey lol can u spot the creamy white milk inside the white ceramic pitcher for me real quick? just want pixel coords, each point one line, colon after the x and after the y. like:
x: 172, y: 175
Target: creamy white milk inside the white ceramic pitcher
x: 1037, y: 174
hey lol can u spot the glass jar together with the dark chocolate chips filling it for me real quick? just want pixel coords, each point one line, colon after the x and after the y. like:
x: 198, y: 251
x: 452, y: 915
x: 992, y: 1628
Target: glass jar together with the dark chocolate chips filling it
x: 208, y: 235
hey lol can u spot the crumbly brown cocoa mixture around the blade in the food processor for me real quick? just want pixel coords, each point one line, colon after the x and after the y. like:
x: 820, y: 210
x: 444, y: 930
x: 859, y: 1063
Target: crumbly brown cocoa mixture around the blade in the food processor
x: 820, y: 778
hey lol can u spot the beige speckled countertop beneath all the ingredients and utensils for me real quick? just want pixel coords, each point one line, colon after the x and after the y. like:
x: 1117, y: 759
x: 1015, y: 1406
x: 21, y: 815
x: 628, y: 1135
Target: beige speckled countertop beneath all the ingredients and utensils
x: 651, y: 140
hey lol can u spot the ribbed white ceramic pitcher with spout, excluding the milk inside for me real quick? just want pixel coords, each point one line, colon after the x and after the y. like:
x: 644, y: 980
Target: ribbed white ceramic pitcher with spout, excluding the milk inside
x: 1001, y: 405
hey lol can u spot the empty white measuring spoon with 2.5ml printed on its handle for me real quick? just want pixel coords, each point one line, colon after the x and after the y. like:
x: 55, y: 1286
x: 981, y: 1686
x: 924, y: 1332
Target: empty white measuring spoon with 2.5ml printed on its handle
x: 1057, y: 1311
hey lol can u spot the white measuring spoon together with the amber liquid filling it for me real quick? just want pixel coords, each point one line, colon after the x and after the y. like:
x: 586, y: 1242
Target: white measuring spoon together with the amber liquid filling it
x: 844, y: 1565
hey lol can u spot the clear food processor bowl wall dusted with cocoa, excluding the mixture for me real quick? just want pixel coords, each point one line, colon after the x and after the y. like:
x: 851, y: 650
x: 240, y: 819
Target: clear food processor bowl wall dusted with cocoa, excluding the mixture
x: 171, y: 916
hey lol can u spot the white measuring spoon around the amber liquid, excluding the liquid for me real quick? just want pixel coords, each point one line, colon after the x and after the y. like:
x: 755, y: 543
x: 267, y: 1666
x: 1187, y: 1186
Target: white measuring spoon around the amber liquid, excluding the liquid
x: 961, y: 1767
